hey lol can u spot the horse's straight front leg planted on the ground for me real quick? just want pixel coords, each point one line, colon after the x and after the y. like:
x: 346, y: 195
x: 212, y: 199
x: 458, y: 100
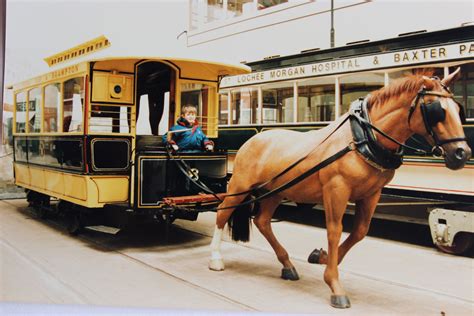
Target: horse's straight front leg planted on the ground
x: 335, y: 202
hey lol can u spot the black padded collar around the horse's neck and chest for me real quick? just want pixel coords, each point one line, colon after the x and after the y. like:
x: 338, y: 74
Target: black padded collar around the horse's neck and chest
x: 365, y: 141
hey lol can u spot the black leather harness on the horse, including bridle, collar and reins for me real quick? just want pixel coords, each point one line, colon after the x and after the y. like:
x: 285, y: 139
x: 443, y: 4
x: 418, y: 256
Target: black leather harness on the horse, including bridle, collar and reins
x: 364, y: 142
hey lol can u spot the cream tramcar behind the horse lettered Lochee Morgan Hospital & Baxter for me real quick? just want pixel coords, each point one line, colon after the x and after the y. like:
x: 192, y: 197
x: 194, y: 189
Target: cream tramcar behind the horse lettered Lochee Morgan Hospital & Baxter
x: 308, y: 90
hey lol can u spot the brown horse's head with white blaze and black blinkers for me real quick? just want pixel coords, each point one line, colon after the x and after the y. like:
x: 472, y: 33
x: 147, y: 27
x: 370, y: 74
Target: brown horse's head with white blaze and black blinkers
x: 439, y: 118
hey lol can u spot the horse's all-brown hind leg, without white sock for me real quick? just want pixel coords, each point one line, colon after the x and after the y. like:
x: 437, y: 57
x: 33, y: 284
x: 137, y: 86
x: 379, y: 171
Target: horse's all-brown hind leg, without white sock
x: 263, y: 222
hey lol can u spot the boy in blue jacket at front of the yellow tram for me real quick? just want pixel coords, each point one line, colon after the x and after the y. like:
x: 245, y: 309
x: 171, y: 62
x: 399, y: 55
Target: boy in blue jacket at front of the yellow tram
x: 186, y: 135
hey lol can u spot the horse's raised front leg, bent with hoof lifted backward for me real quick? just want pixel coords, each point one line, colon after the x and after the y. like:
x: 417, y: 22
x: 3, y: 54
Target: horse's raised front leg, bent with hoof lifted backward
x: 363, y: 214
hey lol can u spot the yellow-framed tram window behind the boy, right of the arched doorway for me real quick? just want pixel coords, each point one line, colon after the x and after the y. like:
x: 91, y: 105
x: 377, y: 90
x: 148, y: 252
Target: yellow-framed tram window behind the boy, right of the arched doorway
x: 200, y: 95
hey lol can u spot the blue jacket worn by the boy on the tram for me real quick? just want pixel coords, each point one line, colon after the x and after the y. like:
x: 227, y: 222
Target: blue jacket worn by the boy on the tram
x: 192, y: 138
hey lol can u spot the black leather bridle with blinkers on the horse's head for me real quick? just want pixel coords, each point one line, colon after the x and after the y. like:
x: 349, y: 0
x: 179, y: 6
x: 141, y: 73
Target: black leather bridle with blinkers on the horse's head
x: 434, y: 113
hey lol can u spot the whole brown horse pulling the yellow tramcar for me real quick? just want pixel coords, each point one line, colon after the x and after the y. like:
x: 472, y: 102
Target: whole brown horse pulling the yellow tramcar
x: 413, y: 105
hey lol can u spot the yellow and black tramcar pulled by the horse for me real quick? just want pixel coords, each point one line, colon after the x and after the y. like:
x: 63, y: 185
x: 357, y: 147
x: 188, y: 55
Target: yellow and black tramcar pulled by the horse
x: 88, y: 135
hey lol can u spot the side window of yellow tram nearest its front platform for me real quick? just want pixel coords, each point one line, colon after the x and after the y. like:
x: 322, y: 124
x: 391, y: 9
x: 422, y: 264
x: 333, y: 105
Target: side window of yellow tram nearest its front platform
x: 73, y: 104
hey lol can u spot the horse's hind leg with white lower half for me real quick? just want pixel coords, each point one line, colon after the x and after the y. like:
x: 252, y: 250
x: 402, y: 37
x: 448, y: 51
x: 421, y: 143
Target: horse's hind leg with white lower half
x: 216, y: 263
